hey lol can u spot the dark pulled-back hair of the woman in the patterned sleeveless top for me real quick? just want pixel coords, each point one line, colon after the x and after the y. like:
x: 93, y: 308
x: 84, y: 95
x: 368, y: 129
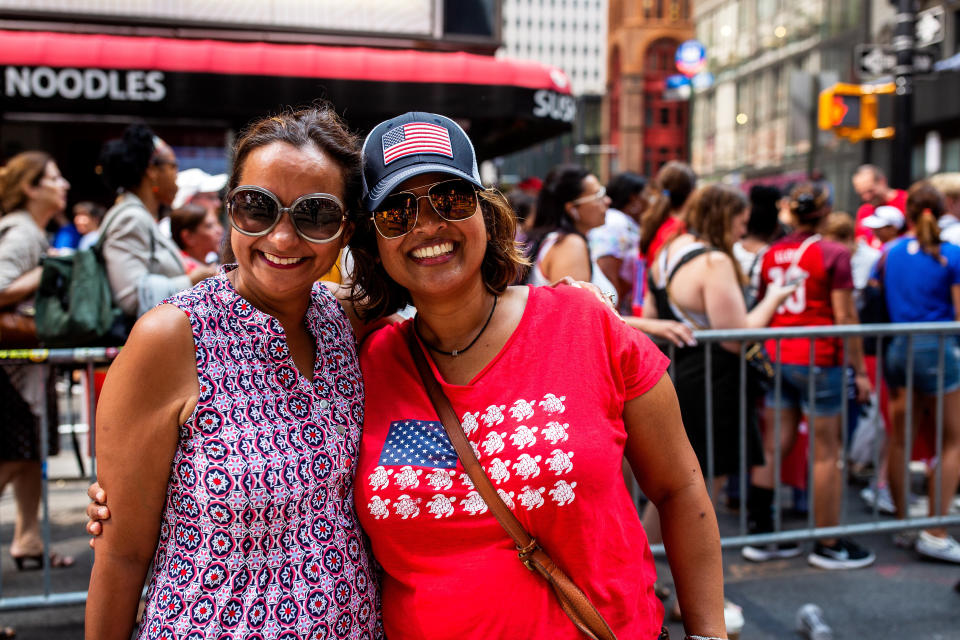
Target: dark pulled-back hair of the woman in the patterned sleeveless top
x: 318, y: 126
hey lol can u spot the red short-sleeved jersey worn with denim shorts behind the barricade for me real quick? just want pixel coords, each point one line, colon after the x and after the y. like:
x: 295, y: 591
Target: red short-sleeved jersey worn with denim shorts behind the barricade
x: 824, y: 267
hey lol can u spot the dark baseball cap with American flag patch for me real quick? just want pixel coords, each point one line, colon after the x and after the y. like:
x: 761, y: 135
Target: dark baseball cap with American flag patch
x: 410, y: 145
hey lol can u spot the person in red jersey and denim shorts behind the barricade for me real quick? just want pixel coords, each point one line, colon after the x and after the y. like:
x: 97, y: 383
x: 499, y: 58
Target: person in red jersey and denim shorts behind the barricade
x: 824, y: 296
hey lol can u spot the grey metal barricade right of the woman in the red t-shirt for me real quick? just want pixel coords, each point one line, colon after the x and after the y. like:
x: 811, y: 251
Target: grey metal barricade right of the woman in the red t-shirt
x: 846, y: 333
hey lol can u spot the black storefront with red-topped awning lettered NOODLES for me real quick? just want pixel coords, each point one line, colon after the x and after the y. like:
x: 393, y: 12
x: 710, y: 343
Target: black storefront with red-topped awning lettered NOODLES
x: 67, y: 93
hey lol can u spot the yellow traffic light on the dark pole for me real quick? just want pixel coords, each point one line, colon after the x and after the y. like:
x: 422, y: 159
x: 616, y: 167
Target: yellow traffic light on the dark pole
x: 850, y: 110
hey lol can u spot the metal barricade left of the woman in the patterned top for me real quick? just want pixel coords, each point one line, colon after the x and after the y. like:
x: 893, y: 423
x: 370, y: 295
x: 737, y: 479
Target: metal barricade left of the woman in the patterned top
x: 72, y: 358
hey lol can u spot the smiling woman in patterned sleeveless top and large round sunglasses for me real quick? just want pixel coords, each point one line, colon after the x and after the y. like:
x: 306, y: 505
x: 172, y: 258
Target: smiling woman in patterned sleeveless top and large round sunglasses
x: 229, y: 425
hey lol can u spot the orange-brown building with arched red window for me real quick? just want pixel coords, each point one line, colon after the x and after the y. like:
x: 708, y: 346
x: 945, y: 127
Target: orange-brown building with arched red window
x: 644, y: 129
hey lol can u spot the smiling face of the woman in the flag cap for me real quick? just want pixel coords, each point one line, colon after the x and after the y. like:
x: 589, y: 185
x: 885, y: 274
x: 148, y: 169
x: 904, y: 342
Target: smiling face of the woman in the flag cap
x: 437, y: 258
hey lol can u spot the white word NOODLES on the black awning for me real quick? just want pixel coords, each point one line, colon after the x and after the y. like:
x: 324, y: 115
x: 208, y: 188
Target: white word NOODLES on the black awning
x: 117, y: 85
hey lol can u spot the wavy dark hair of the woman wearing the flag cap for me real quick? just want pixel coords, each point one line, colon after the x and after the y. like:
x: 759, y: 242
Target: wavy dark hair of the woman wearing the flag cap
x: 376, y: 295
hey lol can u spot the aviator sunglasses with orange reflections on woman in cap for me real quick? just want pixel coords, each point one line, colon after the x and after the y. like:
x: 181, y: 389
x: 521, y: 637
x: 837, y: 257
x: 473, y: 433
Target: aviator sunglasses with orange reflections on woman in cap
x: 453, y: 200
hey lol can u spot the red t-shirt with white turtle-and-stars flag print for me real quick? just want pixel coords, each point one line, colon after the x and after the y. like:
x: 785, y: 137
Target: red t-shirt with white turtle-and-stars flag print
x: 545, y: 417
